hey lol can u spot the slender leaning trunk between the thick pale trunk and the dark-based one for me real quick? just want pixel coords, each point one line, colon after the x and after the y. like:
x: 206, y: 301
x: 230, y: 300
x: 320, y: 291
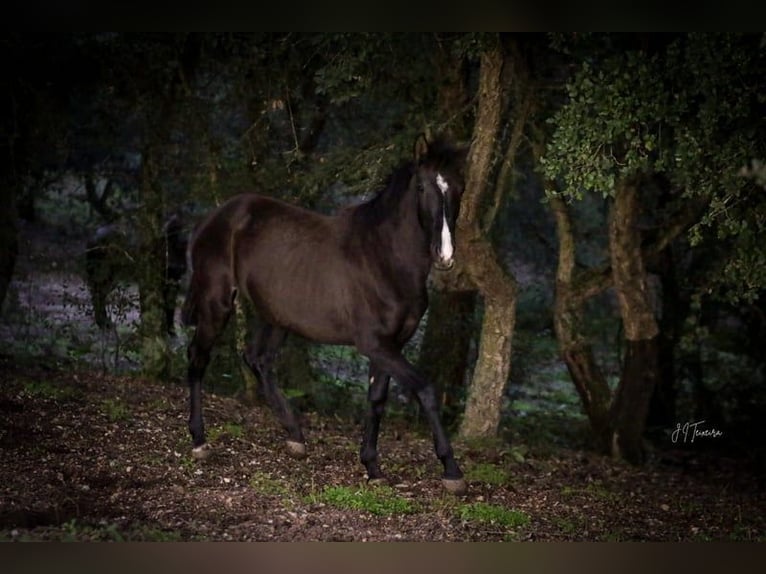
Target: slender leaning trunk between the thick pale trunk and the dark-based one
x: 575, y: 350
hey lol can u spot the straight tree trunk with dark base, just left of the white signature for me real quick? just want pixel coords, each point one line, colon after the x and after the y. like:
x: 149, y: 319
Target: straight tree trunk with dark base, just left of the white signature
x: 640, y: 363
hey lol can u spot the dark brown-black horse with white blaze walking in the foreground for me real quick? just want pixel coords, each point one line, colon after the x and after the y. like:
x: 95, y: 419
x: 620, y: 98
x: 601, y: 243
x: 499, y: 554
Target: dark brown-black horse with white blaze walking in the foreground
x: 355, y: 278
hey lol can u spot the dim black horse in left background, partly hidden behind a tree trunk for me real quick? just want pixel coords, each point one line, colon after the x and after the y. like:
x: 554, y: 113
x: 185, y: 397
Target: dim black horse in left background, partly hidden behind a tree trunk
x: 112, y: 254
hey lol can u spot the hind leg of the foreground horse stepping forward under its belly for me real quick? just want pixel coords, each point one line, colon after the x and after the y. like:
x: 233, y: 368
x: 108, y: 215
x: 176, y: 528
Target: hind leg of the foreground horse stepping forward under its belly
x: 259, y: 356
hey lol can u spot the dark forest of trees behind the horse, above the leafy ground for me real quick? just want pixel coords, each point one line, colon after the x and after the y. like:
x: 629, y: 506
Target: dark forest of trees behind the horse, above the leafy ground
x: 610, y: 284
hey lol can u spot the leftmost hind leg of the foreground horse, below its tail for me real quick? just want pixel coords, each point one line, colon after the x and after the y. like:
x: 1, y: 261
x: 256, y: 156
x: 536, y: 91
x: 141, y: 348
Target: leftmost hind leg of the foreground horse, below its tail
x: 211, y: 318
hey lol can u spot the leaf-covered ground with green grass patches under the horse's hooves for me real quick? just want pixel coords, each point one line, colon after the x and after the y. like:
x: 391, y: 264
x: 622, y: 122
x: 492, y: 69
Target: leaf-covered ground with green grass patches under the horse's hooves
x: 91, y: 457
